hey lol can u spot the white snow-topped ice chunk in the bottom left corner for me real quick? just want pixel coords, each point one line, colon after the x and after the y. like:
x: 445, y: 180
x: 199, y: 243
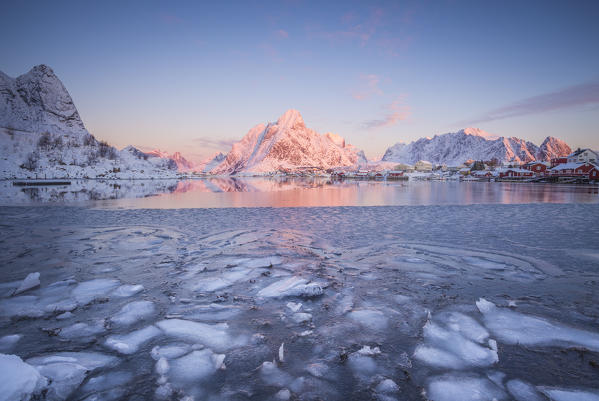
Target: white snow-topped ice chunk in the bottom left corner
x: 19, y: 380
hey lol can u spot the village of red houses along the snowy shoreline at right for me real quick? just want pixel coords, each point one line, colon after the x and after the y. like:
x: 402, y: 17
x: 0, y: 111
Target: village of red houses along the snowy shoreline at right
x: 581, y: 166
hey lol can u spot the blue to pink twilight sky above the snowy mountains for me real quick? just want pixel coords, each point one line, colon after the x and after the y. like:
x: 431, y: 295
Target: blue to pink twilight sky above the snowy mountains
x: 195, y: 76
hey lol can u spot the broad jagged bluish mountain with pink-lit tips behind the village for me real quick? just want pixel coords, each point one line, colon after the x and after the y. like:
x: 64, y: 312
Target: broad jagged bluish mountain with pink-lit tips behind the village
x: 474, y: 144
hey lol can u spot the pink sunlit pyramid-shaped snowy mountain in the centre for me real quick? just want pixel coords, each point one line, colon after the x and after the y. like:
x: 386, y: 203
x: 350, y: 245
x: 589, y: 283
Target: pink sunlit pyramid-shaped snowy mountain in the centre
x: 286, y: 146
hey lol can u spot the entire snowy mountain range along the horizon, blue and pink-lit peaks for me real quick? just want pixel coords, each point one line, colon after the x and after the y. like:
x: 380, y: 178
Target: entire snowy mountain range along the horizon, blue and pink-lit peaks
x: 42, y: 134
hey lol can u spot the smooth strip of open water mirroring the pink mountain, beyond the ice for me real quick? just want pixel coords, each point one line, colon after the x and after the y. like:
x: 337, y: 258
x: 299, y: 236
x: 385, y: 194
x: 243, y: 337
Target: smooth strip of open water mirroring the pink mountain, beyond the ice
x: 263, y: 192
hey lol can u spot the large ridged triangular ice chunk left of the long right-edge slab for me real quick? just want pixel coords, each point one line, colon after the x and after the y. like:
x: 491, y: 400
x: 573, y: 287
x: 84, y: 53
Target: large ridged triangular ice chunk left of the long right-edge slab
x: 450, y: 349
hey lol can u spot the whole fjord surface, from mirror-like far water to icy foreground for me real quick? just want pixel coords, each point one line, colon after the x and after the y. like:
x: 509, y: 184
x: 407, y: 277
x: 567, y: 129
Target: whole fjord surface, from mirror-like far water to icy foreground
x: 458, y: 291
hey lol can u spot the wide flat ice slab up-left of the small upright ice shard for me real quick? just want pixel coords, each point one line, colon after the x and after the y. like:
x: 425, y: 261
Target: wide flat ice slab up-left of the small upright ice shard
x: 215, y: 336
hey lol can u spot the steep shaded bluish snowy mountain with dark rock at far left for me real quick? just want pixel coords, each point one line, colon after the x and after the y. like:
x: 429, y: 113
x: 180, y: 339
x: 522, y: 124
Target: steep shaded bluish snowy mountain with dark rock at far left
x: 43, y: 136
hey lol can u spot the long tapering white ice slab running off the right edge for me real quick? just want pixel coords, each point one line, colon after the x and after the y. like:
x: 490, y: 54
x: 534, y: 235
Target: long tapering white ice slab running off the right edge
x: 516, y: 328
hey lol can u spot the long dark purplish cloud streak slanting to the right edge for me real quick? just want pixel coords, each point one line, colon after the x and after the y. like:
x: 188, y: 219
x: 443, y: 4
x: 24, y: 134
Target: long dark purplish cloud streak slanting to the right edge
x: 572, y: 96
